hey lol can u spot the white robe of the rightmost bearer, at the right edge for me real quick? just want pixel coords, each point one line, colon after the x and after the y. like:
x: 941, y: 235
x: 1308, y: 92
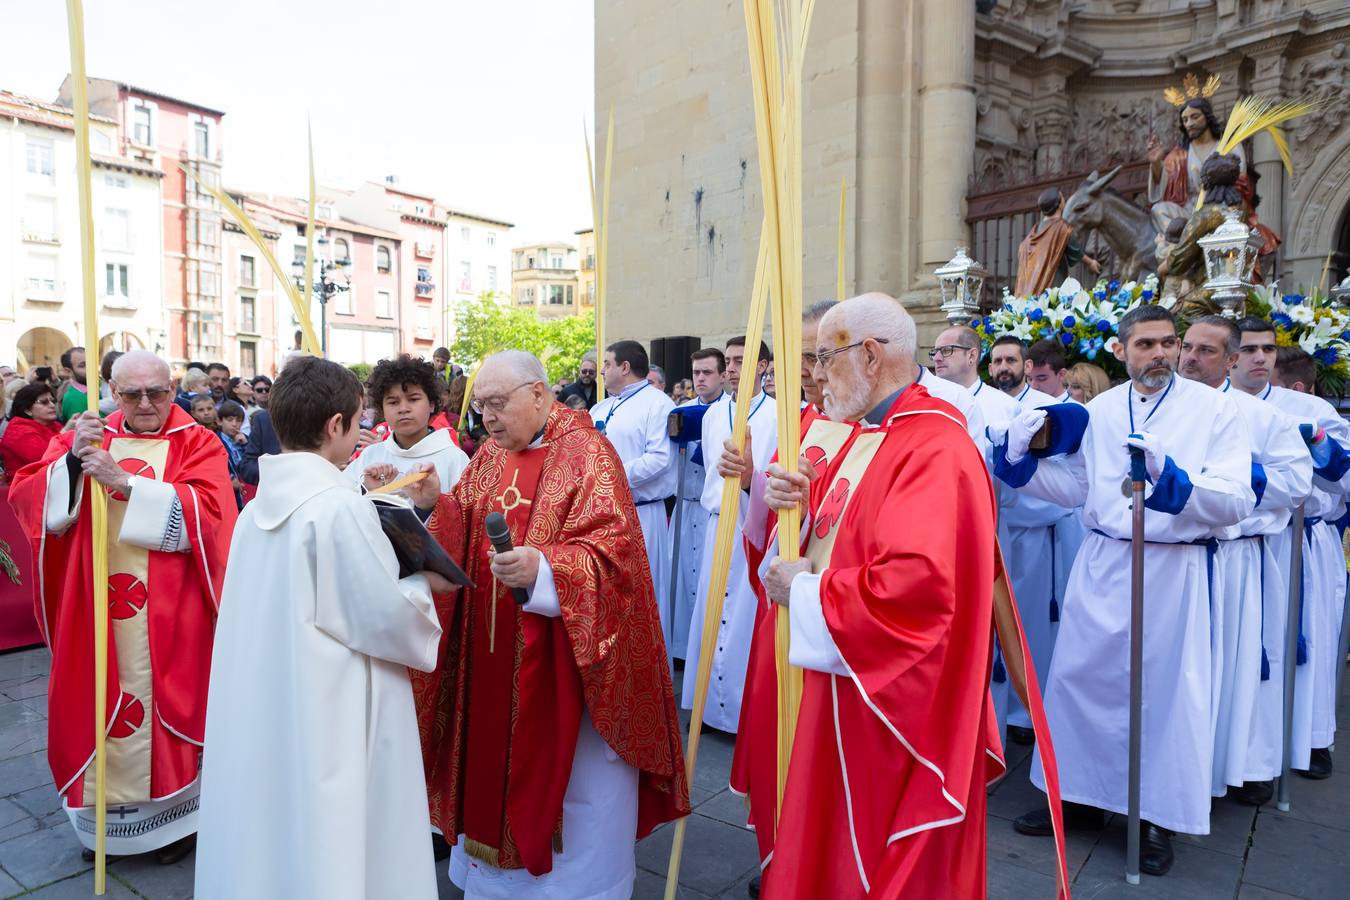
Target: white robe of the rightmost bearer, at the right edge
x: 1325, y: 584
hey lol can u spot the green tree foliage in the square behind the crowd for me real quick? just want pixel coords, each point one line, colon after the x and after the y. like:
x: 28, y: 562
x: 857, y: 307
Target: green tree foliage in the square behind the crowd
x: 491, y: 323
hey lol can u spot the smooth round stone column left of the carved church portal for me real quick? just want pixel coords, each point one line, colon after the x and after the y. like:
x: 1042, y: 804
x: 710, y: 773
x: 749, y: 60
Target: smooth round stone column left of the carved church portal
x: 946, y: 53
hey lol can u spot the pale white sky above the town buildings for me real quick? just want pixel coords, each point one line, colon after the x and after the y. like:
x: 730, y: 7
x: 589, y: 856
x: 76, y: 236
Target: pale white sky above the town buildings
x: 476, y: 102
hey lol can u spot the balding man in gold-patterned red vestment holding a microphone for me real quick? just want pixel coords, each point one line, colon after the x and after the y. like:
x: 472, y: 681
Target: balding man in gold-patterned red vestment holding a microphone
x: 549, y: 728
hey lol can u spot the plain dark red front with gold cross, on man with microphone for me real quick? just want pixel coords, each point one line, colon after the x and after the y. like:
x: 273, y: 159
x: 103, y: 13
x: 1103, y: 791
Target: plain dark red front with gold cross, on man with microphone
x: 503, y: 801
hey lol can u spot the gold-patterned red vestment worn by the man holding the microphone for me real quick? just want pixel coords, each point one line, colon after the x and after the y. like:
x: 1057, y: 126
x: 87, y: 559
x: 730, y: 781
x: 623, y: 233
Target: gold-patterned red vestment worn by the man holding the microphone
x: 500, y: 716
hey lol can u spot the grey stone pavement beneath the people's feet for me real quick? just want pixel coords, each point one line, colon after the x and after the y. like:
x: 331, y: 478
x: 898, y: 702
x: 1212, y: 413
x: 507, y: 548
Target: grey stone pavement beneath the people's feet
x: 1251, y: 855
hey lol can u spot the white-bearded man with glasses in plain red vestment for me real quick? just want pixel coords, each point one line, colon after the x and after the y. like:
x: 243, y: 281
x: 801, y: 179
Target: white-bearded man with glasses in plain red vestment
x: 893, y: 612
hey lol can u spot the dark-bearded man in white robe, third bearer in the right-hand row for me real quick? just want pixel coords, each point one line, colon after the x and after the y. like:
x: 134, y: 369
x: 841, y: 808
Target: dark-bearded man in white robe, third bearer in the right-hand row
x: 1324, y: 569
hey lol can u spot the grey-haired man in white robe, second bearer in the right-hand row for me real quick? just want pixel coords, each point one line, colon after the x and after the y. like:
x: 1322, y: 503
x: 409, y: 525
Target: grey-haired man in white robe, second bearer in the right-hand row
x: 1247, y: 620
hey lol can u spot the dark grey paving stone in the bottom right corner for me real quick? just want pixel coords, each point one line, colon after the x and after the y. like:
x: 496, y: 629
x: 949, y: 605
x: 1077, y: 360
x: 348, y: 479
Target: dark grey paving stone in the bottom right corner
x: 1299, y: 857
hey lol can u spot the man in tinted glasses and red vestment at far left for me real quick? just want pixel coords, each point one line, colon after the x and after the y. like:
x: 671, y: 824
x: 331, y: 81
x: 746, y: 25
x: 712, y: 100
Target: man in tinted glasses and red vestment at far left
x: 171, y: 515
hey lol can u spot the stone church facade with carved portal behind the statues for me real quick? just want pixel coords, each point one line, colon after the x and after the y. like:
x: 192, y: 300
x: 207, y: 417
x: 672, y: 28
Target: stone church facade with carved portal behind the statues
x: 944, y: 119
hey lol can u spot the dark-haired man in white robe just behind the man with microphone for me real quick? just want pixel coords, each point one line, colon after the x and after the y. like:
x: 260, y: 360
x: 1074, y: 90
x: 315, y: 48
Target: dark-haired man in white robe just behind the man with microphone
x: 635, y: 418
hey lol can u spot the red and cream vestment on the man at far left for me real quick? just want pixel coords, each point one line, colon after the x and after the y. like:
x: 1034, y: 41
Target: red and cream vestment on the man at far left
x: 163, y: 613
